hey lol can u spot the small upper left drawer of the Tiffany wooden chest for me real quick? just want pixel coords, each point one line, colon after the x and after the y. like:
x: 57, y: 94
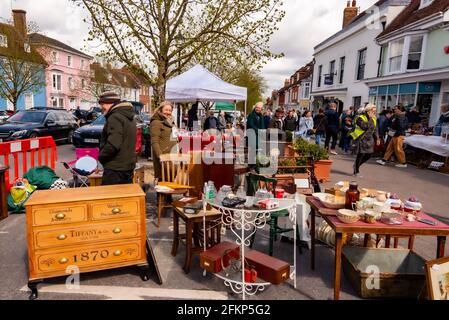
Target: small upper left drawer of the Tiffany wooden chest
x: 59, y: 214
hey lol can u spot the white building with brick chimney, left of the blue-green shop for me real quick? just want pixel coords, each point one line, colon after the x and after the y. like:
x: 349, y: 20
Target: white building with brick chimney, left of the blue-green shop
x: 346, y: 59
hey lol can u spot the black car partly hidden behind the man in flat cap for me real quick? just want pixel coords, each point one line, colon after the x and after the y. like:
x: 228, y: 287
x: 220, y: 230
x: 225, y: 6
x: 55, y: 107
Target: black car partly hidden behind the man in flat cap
x: 89, y: 136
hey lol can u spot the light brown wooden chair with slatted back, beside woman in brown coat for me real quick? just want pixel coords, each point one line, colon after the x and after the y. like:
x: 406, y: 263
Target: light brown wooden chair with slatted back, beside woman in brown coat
x: 174, y: 171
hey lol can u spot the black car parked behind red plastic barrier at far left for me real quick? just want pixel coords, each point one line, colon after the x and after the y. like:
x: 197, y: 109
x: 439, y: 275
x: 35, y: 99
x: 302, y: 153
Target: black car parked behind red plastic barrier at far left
x: 39, y: 122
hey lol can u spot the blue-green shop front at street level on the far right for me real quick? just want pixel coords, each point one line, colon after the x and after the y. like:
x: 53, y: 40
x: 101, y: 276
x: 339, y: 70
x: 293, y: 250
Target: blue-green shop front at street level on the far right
x: 427, y: 97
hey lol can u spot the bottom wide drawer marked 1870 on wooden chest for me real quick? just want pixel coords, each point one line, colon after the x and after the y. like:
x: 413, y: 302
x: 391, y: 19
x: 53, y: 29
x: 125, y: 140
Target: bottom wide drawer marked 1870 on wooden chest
x: 90, y: 256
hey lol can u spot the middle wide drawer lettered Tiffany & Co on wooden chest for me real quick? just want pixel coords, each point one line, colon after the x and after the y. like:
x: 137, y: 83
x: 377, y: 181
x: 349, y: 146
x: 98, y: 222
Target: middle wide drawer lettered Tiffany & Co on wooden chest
x: 51, y: 238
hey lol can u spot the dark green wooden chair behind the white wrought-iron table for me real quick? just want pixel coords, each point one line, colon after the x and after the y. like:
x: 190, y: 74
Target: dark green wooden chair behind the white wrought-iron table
x: 259, y: 181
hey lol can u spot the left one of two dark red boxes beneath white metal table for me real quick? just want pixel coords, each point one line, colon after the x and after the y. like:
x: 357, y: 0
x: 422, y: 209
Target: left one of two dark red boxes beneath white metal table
x: 212, y: 260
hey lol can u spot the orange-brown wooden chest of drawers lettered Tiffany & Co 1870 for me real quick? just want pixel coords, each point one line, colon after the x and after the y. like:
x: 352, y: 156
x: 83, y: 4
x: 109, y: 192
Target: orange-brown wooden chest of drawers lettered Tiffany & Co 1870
x: 91, y: 229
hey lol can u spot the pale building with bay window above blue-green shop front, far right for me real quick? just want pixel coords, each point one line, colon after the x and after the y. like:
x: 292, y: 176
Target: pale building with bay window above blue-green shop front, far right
x: 415, y: 61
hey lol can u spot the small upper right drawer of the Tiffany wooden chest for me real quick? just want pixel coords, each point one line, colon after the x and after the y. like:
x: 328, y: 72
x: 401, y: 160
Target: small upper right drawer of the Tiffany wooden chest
x: 115, y: 209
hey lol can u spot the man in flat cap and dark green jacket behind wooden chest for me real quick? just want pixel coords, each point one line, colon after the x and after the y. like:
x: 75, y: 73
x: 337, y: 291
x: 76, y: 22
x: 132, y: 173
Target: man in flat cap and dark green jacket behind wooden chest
x: 118, y: 140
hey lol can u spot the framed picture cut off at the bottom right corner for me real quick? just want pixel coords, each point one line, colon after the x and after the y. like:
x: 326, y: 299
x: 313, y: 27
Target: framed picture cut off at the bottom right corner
x: 437, y: 273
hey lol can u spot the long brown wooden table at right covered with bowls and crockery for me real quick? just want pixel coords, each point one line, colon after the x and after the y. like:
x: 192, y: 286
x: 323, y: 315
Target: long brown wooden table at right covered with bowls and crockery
x: 441, y: 231
